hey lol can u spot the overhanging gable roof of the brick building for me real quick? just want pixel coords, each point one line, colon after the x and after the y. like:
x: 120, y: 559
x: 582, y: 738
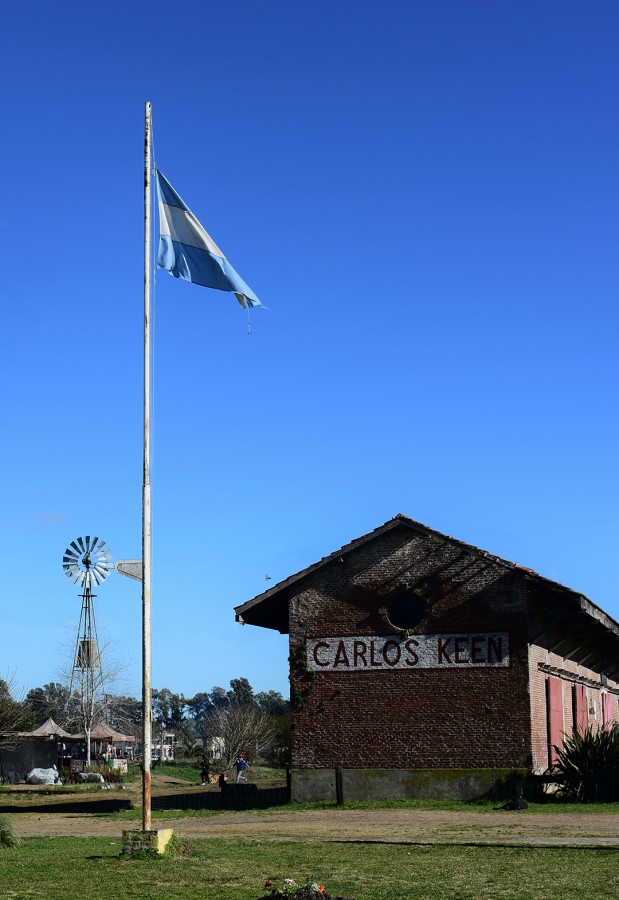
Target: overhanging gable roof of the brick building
x: 270, y: 608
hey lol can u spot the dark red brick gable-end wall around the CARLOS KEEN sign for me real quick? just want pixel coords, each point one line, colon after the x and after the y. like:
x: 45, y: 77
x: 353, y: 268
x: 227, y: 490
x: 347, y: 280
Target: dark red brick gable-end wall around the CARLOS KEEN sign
x: 458, y: 716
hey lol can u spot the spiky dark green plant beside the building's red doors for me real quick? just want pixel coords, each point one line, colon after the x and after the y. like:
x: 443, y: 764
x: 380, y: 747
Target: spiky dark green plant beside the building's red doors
x: 588, y: 765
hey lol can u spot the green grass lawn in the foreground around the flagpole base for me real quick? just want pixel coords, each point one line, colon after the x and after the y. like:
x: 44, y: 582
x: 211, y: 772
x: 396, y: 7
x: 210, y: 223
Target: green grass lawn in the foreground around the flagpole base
x: 92, y: 869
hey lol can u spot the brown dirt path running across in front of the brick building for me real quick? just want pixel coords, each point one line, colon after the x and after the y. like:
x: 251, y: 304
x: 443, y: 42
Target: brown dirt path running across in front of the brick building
x: 37, y: 812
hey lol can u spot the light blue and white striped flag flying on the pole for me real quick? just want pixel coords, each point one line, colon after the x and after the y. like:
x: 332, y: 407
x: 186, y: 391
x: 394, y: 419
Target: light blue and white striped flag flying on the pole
x: 187, y: 251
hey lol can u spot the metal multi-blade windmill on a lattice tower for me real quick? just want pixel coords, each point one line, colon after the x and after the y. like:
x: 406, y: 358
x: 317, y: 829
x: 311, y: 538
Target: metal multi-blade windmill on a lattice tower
x: 87, y: 562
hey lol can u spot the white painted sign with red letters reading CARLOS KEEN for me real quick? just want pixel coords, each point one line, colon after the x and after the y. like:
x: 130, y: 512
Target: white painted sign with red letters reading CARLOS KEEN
x: 423, y: 651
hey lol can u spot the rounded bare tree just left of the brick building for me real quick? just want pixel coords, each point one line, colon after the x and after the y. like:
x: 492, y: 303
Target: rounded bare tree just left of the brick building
x: 241, y: 728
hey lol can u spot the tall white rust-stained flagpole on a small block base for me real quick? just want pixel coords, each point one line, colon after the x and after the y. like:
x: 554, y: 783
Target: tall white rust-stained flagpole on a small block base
x: 146, y: 536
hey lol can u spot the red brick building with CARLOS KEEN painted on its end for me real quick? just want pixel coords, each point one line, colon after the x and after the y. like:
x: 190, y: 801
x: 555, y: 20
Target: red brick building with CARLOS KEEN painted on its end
x: 424, y: 666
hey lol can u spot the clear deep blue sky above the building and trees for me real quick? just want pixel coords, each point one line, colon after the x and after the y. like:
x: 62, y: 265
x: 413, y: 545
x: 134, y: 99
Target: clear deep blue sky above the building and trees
x: 424, y: 194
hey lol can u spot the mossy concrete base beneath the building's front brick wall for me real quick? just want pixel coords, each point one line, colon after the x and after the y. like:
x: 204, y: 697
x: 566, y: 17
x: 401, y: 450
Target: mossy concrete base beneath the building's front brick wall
x: 313, y: 785
